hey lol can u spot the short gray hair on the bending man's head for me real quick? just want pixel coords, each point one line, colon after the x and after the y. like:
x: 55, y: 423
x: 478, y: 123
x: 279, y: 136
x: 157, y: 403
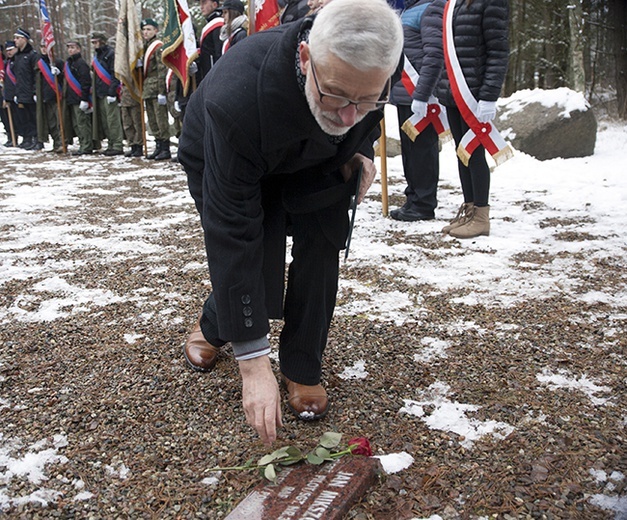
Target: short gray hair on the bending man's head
x: 367, y: 34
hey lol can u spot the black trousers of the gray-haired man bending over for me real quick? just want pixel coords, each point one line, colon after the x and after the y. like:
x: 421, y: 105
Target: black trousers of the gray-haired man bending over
x: 311, y: 291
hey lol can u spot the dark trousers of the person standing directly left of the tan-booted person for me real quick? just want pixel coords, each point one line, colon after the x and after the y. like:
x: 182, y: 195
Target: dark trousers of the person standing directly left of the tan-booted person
x: 421, y: 165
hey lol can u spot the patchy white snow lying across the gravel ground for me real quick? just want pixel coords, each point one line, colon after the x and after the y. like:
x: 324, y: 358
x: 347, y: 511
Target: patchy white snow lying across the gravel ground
x: 586, y: 195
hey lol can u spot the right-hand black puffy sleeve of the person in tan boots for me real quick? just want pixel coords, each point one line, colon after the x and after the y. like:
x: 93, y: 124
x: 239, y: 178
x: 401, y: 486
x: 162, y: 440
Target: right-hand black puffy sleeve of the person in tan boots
x: 496, y: 34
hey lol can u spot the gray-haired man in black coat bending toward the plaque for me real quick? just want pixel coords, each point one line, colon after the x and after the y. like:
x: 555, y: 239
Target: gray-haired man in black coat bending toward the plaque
x: 270, y: 145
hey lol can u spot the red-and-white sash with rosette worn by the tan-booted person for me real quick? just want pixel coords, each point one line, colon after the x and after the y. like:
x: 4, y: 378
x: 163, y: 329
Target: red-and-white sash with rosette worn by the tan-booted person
x: 479, y: 133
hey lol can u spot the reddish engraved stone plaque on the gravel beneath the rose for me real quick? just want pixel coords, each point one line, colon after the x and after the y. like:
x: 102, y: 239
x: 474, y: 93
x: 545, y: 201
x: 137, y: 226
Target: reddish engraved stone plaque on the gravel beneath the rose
x: 309, y: 492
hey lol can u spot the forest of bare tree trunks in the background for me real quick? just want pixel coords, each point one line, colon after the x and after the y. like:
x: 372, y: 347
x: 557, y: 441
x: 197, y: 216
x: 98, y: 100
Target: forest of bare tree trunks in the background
x: 579, y: 44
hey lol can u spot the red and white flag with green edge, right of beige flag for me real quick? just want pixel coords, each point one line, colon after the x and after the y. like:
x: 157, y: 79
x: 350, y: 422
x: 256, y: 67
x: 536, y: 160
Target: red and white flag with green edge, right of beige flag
x: 179, y: 40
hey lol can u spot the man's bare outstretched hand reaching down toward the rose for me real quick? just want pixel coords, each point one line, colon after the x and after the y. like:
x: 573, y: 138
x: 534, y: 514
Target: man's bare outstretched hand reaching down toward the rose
x: 260, y: 397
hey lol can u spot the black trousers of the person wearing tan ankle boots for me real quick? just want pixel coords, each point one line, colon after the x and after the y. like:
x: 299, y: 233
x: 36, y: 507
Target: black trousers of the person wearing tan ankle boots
x: 475, y: 178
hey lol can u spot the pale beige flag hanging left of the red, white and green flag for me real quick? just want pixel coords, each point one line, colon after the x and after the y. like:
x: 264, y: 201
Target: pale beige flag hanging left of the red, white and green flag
x: 128, y: 48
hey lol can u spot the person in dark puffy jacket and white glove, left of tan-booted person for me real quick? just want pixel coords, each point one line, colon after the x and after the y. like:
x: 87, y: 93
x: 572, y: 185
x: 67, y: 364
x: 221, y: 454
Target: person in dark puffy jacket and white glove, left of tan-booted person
x: 422, y: 28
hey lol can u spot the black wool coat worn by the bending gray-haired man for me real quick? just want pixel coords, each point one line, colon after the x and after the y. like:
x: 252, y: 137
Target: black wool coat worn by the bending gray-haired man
x: 252, y: 150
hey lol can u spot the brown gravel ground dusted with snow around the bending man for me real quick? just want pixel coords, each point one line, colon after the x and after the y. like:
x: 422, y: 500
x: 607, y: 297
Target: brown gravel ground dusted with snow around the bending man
x: 106, y: 277
